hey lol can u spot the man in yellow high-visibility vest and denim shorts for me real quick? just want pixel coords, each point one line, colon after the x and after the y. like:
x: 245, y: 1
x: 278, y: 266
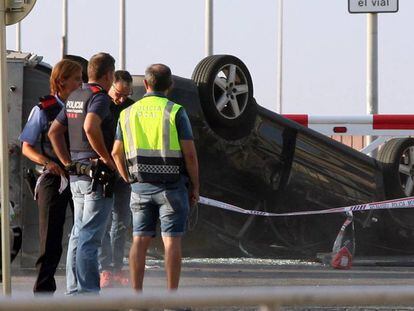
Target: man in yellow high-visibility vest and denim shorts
x: 154, y: 150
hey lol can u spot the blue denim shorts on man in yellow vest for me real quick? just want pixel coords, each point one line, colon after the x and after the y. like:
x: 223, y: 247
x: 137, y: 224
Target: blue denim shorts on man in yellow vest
x: 170, y: 205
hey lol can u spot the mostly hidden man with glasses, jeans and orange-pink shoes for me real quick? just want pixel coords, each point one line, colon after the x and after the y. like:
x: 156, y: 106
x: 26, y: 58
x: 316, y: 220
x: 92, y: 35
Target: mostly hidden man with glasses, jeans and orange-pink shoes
x: 111, y: 256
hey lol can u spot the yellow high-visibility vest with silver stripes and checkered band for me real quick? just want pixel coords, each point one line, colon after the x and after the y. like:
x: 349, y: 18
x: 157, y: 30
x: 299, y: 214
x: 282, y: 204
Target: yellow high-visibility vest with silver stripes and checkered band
x: 151, y: 143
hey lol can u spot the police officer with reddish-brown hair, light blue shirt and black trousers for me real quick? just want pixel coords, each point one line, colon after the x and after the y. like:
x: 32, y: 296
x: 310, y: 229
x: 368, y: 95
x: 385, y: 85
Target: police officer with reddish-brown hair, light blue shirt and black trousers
x: 66, y: 77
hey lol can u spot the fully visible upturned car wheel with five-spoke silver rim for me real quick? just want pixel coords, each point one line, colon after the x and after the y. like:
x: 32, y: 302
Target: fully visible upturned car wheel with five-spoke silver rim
x: 226, y: 91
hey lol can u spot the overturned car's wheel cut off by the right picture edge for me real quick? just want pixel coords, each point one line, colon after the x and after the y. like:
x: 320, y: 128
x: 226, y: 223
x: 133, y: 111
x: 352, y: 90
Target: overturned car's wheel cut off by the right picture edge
x: 397, y: 158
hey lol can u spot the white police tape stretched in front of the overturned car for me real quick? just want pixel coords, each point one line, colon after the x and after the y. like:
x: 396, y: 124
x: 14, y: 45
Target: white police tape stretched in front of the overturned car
x: 389, y: 204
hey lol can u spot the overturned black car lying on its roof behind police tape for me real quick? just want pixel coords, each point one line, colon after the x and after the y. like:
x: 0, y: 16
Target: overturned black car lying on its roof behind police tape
x: 258, y: 160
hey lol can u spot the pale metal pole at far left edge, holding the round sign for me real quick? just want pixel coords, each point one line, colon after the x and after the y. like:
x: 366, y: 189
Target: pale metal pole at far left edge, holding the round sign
x: 4, y: 158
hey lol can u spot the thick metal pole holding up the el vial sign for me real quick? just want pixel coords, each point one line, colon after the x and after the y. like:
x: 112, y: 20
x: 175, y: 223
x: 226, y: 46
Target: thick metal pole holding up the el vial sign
x: 372, y: 66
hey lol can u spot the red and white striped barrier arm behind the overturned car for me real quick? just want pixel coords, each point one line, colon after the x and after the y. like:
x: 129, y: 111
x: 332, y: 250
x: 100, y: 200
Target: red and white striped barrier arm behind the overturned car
x: 377, y: 124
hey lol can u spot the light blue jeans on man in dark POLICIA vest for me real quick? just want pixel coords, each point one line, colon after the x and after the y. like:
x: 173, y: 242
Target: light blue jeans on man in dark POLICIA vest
x: 91, y: 215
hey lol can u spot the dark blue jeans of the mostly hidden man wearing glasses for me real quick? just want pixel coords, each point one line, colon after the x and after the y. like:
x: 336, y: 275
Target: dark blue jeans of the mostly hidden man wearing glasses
x: 111, y: 254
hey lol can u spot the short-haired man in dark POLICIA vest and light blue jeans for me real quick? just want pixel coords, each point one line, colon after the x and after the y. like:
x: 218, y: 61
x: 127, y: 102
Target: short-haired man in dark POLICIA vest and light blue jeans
x: 88, y: 120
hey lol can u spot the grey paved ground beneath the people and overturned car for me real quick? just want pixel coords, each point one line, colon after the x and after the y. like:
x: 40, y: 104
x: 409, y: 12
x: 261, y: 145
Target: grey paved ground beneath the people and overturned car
x: 222, y: 273
